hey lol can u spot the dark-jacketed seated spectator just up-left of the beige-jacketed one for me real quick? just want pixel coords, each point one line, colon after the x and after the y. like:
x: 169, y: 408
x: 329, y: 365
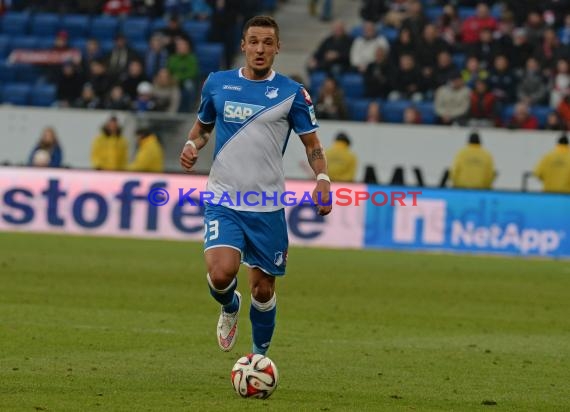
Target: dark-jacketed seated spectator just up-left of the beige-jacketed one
x: 407, y: 81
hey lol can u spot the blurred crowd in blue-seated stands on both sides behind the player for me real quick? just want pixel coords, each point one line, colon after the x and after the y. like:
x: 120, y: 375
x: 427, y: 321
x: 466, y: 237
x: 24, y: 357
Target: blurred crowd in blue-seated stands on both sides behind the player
x: 476, y: 63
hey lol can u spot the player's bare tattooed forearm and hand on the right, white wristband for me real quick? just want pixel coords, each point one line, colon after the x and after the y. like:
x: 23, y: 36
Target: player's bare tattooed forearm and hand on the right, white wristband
x: 318, y: 162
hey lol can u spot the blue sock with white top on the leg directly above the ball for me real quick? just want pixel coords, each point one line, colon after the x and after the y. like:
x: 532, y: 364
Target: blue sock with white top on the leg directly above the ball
x: 262, y: 316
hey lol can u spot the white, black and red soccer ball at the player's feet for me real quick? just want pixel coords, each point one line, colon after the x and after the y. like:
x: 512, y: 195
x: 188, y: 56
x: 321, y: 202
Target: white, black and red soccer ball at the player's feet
x: 255, y: 376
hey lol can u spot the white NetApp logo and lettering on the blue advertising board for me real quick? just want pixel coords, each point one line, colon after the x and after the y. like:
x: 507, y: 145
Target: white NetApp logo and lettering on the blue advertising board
x: 426, y: 224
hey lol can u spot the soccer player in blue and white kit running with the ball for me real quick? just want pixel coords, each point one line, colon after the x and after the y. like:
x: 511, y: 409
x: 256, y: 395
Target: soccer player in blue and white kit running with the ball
x: 255, y: 110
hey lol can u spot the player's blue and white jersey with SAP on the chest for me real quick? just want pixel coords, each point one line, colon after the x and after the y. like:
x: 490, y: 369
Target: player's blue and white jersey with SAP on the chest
x: 254, y: 119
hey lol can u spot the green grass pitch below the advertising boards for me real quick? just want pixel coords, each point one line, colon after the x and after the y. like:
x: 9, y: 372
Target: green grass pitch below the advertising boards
x: 102, y: 324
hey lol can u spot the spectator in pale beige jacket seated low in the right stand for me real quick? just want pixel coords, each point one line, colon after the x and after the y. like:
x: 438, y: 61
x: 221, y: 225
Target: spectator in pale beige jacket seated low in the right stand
x: 452, y: 102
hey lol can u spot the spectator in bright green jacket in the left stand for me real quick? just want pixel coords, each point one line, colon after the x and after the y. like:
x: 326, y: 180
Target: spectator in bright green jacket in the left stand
x: 183, y: 65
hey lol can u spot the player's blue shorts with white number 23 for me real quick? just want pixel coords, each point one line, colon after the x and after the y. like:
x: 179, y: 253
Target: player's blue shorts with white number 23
x: 261, y: 237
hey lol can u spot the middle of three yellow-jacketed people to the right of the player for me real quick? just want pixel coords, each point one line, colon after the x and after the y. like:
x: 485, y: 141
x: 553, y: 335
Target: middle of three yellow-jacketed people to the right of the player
x: 473, y: 166
